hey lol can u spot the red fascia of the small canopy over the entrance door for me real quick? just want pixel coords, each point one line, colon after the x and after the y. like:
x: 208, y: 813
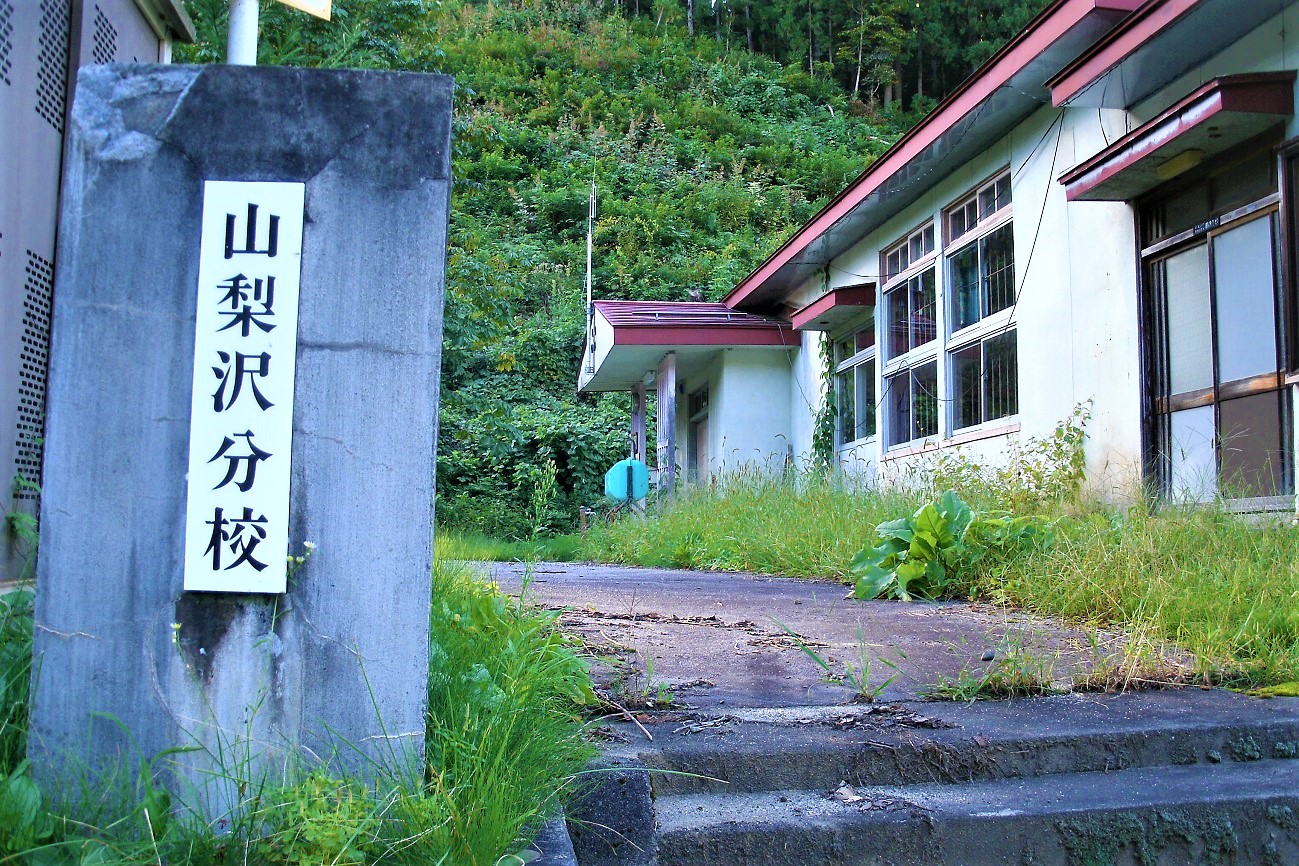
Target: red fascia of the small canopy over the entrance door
x: 1254, y: 93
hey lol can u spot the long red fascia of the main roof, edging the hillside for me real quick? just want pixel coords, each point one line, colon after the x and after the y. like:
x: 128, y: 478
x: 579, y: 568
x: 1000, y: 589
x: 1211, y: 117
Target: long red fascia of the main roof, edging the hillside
x: 1041, y: 33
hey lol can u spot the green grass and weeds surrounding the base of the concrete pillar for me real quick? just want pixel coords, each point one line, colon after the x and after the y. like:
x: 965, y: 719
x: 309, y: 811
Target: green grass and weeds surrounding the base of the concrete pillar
x: 505, y: 743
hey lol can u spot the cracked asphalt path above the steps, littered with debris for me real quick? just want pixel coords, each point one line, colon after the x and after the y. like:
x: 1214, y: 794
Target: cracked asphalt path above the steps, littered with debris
x: 714, y: 641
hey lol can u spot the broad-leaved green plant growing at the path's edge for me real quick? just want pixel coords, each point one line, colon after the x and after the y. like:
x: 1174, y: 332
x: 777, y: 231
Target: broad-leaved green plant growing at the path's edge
x: 923, y: 556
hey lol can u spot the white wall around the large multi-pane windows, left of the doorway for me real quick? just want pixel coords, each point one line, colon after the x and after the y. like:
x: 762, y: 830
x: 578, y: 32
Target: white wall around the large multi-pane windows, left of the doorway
x: 1076, y: 316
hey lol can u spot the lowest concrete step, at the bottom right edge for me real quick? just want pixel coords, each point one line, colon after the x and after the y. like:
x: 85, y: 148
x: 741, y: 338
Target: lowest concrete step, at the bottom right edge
x: 1231, y: 813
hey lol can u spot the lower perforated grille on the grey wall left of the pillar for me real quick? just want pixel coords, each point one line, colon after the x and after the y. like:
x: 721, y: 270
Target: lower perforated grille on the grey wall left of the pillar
x: 34, y: 363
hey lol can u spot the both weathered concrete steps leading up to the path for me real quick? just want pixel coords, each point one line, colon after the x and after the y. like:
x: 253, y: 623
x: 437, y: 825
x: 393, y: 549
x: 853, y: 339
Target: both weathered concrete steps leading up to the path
x: 1041, y: 781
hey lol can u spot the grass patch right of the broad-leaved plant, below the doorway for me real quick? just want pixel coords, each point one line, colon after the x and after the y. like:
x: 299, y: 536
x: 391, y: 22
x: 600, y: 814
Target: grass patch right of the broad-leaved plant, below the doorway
x: 1224, y: 589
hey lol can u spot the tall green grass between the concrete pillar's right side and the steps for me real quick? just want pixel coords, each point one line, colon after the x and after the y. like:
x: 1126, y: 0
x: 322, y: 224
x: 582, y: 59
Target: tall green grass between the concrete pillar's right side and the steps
x: 505, y: 739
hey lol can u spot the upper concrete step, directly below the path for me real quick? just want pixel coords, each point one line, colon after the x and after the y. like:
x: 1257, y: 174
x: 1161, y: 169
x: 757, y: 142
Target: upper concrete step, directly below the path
x: 818, y: 748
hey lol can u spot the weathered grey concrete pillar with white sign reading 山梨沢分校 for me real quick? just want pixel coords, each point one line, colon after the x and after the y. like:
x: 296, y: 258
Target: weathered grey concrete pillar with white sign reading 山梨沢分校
x: 245, y: 359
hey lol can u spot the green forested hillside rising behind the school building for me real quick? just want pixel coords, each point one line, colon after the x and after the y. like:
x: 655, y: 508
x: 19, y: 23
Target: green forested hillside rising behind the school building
x: 706, y: 156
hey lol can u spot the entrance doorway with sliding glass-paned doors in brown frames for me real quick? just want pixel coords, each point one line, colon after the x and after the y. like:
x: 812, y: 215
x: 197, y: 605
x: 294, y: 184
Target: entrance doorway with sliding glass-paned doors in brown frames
x: 1218, y: 408
